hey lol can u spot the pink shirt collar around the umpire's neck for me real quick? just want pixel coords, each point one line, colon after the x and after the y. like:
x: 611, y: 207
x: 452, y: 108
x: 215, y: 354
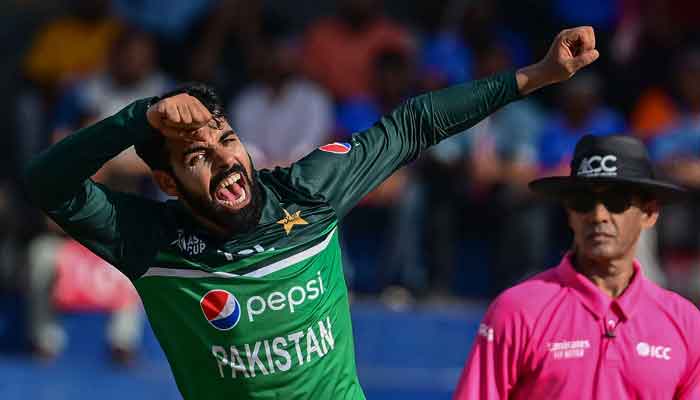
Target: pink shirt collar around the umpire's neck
x: 594, y: 299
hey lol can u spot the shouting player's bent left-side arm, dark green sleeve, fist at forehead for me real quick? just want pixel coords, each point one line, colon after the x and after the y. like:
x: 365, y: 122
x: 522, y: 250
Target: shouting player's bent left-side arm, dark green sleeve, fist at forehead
x: 119, y: 227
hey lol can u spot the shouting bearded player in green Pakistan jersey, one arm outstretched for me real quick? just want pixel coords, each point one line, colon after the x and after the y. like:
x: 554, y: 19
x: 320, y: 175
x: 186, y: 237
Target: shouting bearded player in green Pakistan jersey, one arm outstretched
x: 241, y: 276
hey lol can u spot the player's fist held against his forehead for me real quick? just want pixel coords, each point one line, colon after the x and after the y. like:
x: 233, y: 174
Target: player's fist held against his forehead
x: 179, y: 117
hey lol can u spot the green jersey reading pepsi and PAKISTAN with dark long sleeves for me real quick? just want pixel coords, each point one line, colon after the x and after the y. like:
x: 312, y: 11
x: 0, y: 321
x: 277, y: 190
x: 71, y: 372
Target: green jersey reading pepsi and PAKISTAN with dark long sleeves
x: 261, y: 315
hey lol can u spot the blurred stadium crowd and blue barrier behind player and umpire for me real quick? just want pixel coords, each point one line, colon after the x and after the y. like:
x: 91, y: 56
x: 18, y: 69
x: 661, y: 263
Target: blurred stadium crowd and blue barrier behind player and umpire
x: 426, y: 251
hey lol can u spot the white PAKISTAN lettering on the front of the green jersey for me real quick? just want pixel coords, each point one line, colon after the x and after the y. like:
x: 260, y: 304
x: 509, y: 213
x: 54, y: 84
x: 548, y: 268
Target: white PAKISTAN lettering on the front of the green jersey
x: 279, y: 354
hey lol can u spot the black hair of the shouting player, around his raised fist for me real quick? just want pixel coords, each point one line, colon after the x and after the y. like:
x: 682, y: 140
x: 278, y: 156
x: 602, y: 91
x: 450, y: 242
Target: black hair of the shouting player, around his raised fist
x: 154, y: 151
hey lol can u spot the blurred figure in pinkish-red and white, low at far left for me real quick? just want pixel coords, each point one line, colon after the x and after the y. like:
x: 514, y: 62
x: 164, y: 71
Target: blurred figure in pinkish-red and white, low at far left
x: 55, y: 260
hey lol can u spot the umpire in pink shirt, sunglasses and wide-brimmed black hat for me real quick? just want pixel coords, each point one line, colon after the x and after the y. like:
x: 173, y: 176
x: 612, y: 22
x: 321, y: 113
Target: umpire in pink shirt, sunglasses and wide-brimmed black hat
x: 594, y: 327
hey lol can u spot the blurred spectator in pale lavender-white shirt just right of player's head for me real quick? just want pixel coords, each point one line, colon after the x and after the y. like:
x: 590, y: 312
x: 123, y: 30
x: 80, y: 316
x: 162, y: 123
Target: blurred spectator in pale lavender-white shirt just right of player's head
x: 284, y: 115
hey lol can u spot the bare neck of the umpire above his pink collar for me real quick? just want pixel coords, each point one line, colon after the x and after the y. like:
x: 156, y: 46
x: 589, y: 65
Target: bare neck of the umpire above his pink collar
x: 610, y: 276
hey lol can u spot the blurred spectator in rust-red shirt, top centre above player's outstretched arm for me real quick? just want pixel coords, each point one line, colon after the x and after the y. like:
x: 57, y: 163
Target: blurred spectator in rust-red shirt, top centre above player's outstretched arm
x: 340, y: 51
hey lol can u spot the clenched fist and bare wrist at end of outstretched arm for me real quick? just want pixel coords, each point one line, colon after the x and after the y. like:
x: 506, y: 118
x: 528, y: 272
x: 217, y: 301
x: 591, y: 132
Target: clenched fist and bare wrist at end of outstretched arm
x: 571, y: 50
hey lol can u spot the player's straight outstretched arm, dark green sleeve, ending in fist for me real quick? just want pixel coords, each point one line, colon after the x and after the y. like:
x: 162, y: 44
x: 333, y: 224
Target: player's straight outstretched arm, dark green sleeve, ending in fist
x: 343, y: 177
